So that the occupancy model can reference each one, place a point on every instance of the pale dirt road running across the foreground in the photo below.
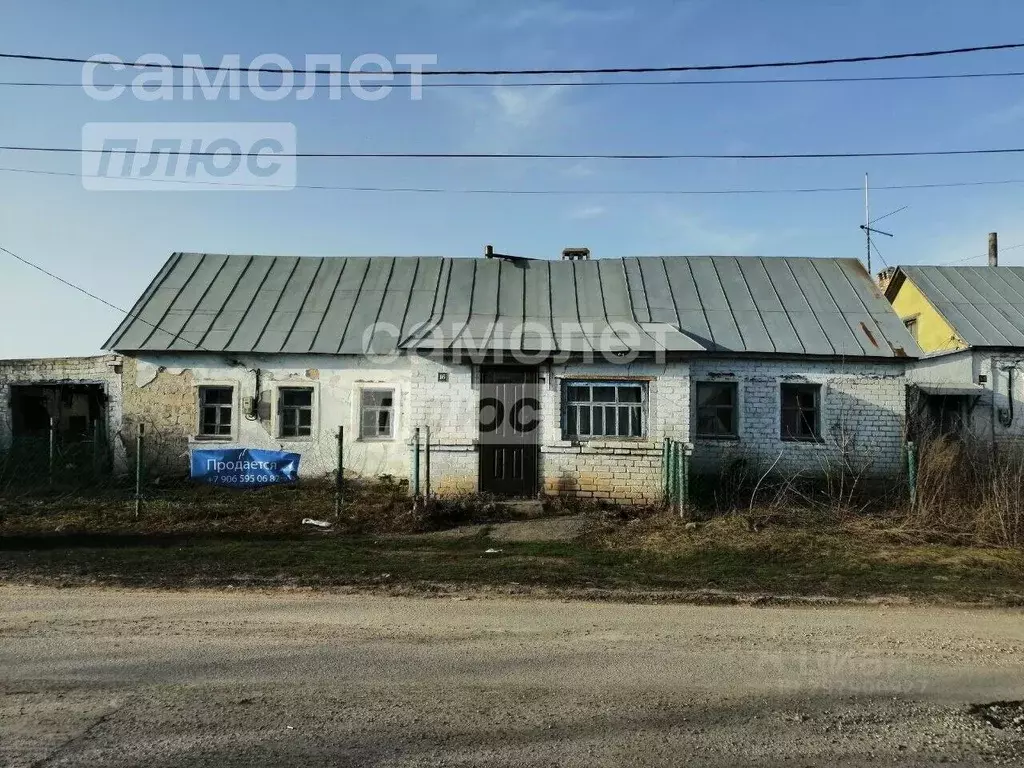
(122, 678)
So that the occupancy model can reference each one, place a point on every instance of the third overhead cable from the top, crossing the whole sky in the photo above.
(524, 156)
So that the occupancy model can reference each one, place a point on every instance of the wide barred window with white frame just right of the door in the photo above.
(605, 409)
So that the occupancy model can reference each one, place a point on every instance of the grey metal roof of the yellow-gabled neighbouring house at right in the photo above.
(985, 305)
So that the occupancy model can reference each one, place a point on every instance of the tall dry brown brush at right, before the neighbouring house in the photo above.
(968, 493)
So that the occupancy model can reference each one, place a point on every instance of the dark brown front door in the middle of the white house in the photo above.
(510, 414)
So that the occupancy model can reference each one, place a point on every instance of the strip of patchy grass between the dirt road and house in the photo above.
(650, 558)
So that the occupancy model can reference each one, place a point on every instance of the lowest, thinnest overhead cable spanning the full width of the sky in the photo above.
(479, 191)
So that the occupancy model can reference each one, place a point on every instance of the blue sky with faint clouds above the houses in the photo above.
(113, 243)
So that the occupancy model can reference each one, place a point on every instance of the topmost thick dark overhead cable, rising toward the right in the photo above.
(577, 71)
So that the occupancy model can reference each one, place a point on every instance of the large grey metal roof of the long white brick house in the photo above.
(356, 306)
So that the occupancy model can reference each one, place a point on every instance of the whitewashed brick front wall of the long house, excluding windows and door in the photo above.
(863, 401)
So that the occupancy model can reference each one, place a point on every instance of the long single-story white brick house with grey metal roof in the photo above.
(579, 370)
